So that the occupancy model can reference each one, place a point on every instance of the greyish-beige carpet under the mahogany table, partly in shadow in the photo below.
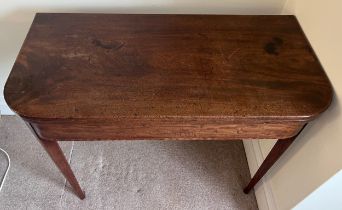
(124, 174)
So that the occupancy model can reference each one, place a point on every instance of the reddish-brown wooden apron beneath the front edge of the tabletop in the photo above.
(183, 129)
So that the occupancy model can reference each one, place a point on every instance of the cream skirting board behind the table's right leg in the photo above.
(263, 190)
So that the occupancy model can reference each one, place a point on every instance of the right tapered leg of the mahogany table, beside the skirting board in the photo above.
(278, 149)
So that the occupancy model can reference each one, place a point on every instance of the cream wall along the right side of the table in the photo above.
(316, 155)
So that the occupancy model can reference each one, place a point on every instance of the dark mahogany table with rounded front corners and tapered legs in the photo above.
(89, 77)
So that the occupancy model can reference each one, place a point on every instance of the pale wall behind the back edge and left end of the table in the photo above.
(16, 17)
